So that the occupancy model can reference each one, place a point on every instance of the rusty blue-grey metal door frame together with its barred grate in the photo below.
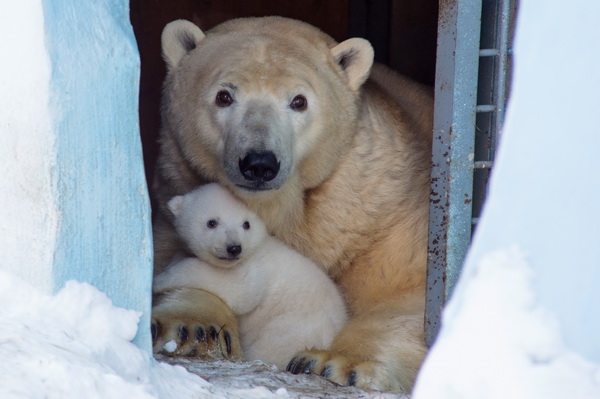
(472, 76)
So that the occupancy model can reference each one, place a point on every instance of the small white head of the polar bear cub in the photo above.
(216, 227)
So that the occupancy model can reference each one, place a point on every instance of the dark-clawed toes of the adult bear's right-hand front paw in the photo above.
(340, 369)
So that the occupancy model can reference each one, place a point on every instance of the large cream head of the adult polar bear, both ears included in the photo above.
(257, 101)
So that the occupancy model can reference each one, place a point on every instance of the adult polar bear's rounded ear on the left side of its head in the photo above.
(179, 38)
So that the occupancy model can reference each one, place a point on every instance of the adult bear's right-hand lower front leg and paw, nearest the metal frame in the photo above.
(379, 350)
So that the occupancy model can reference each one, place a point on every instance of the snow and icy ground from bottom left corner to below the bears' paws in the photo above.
(76, 344)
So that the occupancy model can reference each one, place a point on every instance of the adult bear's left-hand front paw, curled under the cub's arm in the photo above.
(194, 323)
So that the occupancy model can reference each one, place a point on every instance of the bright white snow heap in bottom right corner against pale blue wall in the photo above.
(498, 342)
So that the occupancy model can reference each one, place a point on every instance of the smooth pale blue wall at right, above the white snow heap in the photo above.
(544, 191)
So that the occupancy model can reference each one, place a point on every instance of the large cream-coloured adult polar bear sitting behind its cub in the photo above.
(336, 164)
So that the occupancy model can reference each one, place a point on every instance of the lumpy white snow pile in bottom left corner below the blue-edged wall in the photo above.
(76, 344)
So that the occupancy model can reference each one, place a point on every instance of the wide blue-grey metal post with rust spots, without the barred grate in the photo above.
(459, 26)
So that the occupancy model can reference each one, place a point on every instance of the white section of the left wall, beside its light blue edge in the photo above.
(28, 212)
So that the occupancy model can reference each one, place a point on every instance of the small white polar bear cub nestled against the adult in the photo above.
(285, 303)
